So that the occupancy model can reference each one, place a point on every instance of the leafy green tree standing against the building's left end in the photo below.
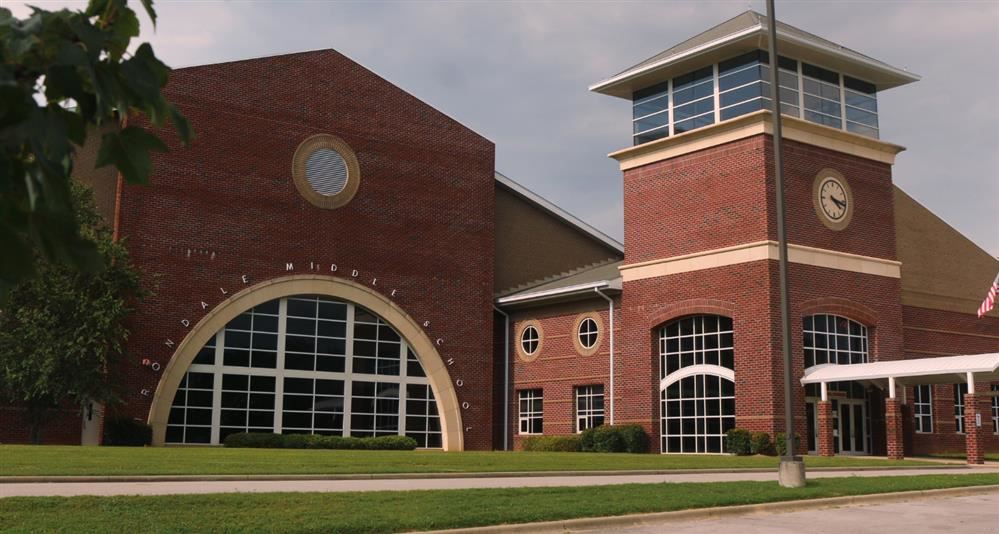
(62, 331)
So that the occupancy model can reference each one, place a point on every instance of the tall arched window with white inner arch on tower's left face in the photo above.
(697, 384)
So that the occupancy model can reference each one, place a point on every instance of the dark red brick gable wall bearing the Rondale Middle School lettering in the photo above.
(421, 222)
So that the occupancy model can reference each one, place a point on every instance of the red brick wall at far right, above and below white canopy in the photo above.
(930, 333)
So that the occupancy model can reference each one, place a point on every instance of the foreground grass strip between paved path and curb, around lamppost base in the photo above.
(419, 510)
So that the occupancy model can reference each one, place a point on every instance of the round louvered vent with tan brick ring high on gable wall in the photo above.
(325, 171)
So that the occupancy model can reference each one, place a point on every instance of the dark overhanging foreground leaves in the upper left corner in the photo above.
(61, 74)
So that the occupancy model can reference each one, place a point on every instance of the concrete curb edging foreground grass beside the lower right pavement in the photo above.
(661, 518)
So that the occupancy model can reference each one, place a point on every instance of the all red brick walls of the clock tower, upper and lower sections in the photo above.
(724, 196)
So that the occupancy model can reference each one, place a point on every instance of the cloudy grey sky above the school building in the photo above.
(517, 73)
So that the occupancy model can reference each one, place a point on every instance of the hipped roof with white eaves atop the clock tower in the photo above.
(742, 33)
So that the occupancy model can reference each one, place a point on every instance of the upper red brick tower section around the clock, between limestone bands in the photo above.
(724, 196)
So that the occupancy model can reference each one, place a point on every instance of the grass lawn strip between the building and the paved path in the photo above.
(68, 460)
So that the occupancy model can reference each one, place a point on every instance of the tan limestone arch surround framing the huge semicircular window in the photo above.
(286, 286)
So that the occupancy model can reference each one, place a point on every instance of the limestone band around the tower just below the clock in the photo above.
(759, 251)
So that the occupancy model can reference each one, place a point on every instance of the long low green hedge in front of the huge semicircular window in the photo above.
(259, 440)
